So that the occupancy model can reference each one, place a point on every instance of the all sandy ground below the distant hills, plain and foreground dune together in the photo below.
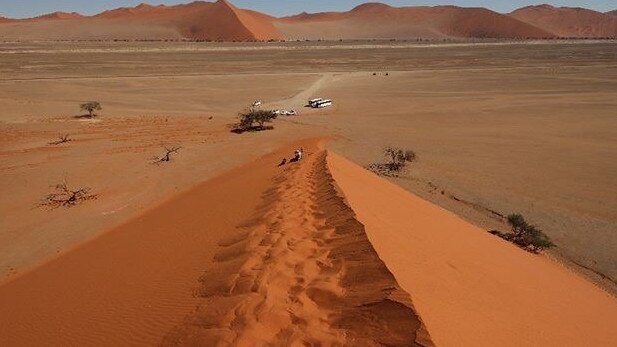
(498, 127)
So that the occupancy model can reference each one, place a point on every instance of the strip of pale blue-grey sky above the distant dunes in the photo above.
(30, 8)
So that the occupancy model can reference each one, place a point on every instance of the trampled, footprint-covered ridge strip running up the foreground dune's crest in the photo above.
(301, 271)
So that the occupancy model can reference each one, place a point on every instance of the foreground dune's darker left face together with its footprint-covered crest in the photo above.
(299, 269)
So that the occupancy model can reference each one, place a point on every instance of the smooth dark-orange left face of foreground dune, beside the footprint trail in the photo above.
(134, 283)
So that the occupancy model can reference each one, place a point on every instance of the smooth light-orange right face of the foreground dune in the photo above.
(469, 287)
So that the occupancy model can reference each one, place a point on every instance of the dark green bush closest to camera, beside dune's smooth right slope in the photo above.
(525, 235)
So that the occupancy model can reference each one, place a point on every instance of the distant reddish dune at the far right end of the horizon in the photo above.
(567, 21)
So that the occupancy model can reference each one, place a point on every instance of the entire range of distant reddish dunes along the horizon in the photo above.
(221, 20)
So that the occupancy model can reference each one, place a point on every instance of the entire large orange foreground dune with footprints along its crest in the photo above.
(320, 251)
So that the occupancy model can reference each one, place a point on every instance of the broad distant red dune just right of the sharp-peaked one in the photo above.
(384, 21)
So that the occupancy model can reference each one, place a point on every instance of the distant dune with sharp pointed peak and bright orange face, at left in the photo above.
(198, 20)
